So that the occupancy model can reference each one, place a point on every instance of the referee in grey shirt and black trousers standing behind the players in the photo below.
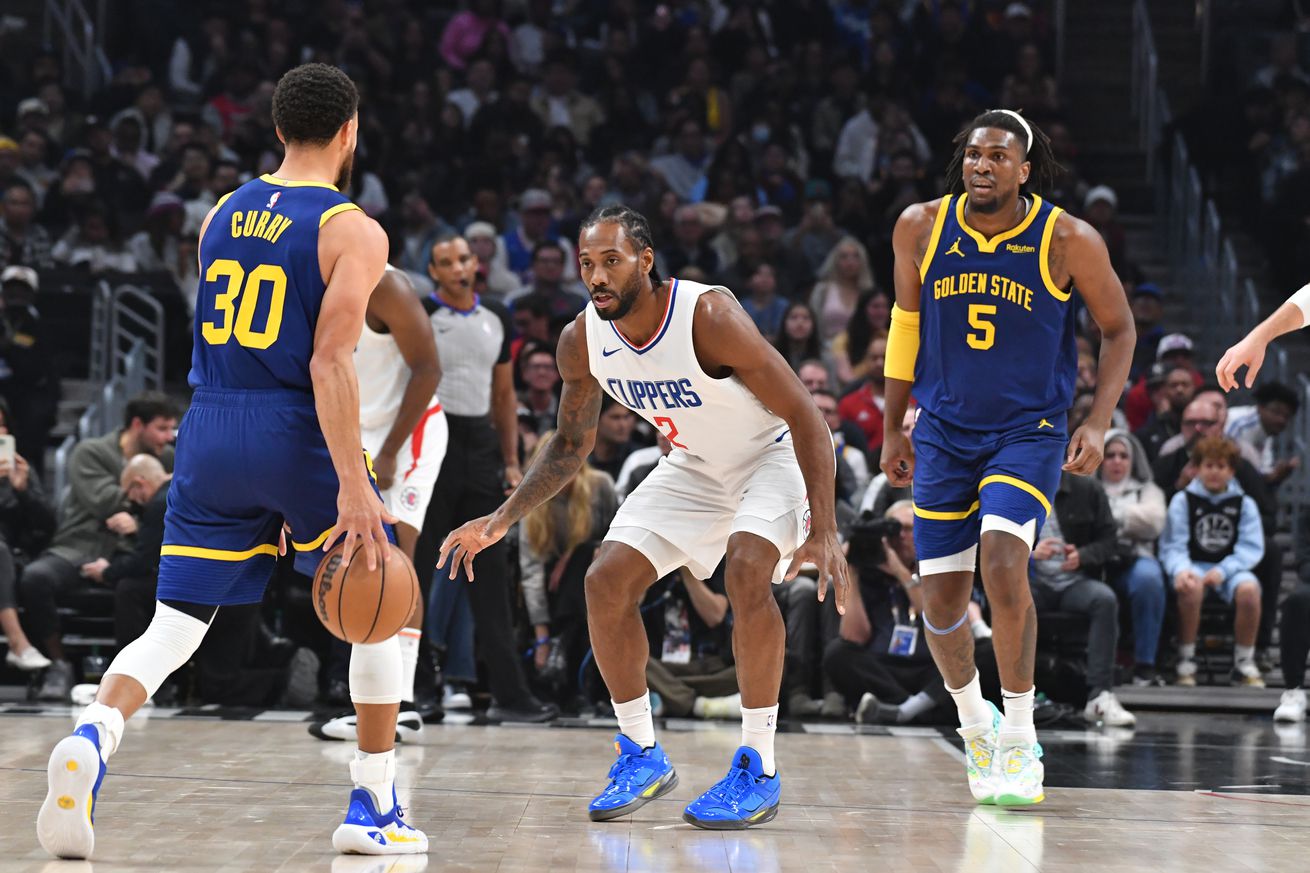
(481, 463)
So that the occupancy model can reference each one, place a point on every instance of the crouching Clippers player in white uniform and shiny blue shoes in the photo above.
(751, 475)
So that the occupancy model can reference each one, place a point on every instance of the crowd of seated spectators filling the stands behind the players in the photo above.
(772, 146)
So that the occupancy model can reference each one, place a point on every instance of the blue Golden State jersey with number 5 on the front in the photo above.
(996, 334)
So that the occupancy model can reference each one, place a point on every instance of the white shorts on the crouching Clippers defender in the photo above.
(686, 511)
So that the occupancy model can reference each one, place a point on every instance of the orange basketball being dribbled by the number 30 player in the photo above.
(358, 605)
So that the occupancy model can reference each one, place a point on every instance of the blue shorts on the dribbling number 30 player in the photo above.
(247, 462)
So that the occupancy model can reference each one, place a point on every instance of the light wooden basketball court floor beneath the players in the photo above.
(208, 794)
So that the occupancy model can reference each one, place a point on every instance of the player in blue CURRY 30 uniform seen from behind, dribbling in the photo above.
(288, 265)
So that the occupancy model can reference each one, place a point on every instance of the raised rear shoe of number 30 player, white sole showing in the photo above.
(66, 823)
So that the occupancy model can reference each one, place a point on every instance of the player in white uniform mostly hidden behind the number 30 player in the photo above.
(405, 435)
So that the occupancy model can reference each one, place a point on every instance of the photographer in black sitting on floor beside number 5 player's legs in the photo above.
(881, 659)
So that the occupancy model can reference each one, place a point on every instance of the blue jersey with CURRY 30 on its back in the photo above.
(261, 286)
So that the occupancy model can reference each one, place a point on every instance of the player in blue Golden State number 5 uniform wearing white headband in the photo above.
(983, 336)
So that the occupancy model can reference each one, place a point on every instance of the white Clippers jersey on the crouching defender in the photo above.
(719, 421)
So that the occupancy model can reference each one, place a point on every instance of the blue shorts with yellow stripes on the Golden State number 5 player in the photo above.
(965, 475)
